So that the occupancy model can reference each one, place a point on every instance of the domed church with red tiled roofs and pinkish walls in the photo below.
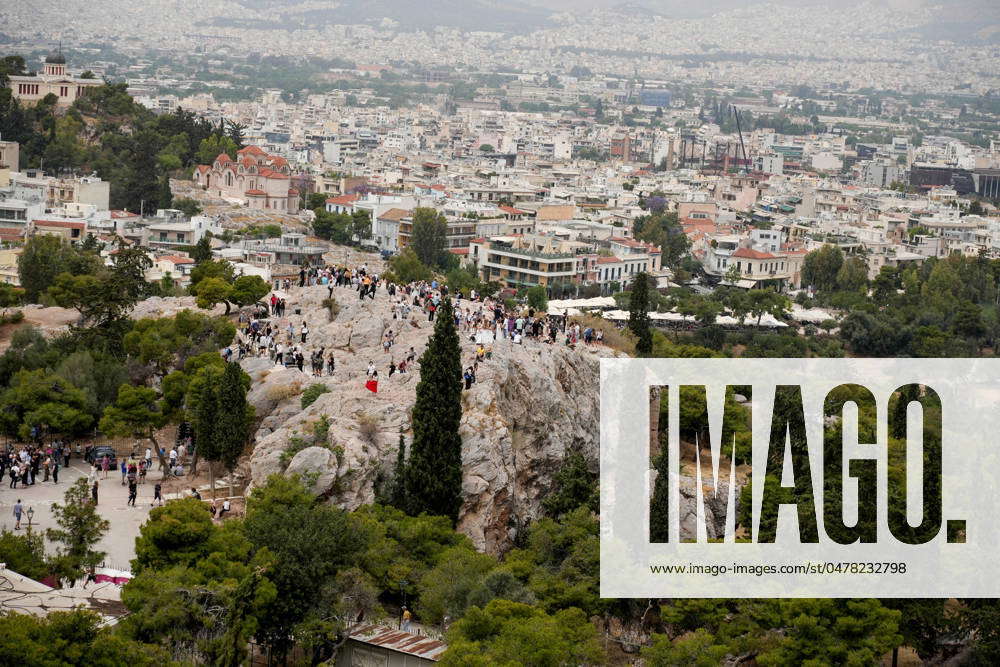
(255, 178)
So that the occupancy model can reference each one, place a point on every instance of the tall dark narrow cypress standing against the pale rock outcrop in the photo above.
(433, 479)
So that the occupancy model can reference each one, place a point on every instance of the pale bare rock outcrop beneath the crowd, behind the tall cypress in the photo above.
(530, 404)
